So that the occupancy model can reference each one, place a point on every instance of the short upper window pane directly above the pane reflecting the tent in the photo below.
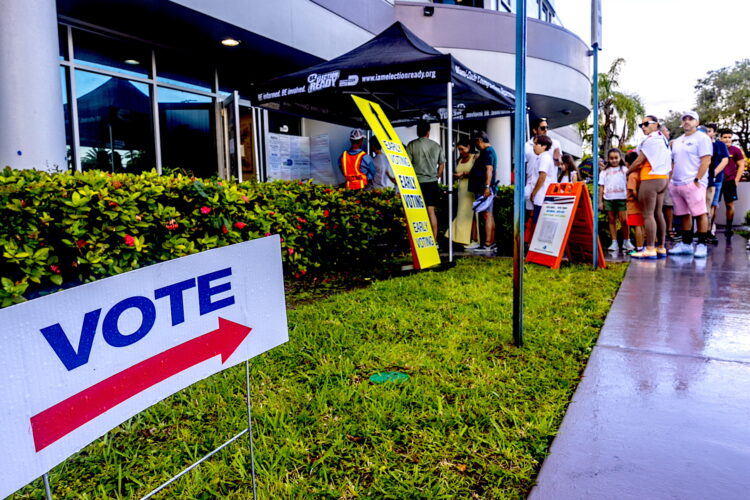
(110, 54)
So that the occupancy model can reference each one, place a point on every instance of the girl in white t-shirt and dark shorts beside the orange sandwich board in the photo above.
(612, 198)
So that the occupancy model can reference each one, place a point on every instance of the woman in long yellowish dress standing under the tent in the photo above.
(464, 225)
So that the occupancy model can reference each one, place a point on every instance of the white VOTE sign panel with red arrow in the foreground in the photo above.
(78, 363)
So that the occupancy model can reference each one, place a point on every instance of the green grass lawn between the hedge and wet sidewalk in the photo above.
(475, 419)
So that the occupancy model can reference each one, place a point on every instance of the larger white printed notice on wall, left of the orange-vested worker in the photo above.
(288, 157)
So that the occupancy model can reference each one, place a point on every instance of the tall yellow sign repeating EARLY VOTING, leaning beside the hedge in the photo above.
(423, 245)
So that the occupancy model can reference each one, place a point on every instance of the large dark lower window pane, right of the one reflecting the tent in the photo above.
(187, 132)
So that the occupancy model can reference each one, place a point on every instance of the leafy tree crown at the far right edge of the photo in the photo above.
(723, 96)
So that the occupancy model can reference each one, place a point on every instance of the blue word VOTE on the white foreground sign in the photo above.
(72, 358)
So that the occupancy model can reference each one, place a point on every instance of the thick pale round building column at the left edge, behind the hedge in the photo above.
(33, 129)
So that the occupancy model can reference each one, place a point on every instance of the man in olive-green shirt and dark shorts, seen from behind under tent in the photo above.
(428, 159)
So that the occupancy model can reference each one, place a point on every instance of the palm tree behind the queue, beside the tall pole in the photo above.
(618, 111)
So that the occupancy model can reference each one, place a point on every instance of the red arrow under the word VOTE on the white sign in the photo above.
(66, 416)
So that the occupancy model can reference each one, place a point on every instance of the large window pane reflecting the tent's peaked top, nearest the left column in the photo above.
(114, 121)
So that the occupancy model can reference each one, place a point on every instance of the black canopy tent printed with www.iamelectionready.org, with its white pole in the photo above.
(410, 79)
